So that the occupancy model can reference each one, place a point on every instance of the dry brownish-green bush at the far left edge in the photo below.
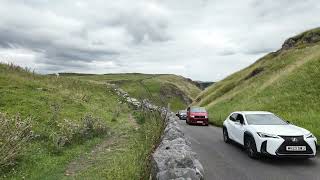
(14, 135)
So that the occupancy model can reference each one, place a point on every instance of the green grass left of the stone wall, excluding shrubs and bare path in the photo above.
(48, 100)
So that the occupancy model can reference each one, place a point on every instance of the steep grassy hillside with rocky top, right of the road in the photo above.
(286, 82)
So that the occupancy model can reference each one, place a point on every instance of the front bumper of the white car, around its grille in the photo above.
(277, 147)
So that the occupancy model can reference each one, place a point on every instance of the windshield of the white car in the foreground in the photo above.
(264, 119)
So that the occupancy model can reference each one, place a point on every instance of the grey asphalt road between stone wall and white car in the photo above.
(230, 162)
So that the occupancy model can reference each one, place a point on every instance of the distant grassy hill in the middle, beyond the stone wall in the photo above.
(161, 89)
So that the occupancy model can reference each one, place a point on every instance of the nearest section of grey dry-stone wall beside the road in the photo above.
(174, 157)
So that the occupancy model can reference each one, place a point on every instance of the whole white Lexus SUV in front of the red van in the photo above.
(265, 133)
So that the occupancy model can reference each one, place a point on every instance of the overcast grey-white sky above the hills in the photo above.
(200, 39)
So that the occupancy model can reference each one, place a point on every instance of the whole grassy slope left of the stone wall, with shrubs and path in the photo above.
(66, 128)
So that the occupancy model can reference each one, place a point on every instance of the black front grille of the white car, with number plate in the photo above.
(293, 141)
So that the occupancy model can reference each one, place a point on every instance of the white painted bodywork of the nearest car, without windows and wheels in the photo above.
(236, 133)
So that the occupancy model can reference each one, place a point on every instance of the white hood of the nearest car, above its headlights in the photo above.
(284, 130)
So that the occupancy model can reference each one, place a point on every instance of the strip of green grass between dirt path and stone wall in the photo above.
(130, 160)
